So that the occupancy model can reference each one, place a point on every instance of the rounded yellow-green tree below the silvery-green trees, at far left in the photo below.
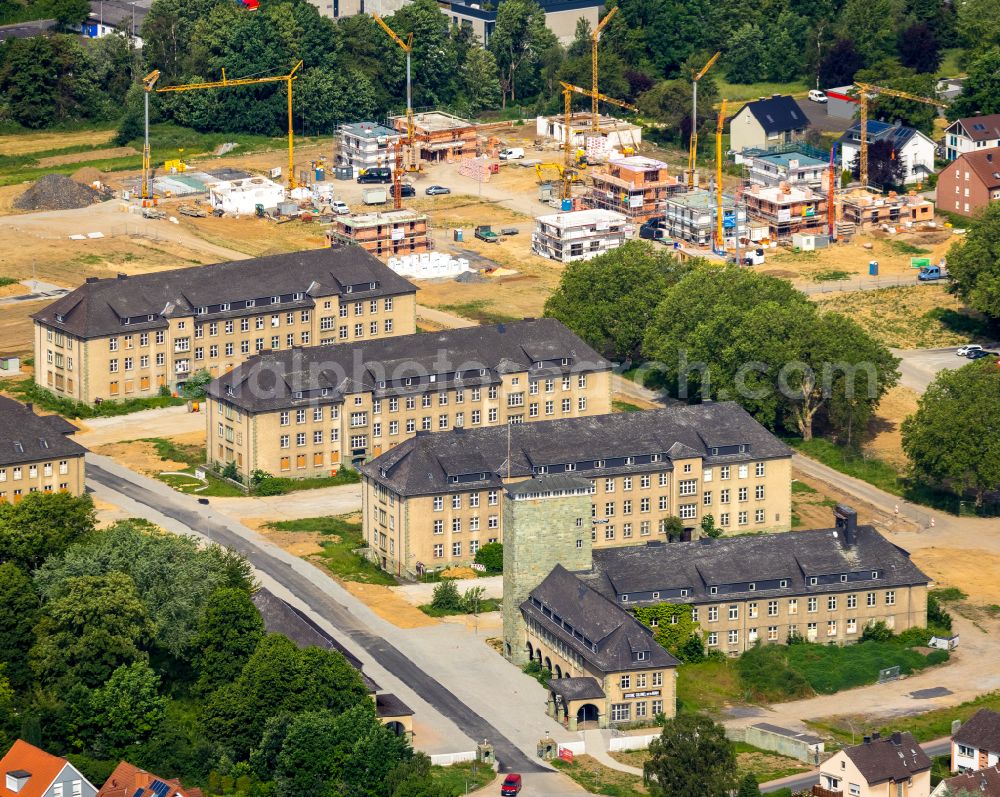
(91, 627)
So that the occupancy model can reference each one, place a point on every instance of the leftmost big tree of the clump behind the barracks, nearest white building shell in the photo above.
(609, 300)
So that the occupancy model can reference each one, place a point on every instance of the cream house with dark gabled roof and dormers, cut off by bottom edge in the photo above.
(879, 767)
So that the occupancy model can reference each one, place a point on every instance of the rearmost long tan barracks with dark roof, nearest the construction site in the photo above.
(133, 336)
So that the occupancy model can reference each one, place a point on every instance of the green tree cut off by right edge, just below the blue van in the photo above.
(974, 263)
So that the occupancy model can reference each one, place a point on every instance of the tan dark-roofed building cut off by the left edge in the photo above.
(37, 453)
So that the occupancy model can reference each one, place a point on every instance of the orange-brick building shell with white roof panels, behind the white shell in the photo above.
(635, 186)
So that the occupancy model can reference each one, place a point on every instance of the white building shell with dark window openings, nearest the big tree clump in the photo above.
(579, 235)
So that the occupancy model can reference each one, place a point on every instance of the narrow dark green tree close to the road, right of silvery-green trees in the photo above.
(228, 632)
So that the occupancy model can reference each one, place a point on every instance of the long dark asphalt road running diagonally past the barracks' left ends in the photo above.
(511, 758)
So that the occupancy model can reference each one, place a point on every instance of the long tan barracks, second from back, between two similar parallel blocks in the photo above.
(305, 412)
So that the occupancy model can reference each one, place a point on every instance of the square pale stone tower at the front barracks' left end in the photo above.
(546, 521)
